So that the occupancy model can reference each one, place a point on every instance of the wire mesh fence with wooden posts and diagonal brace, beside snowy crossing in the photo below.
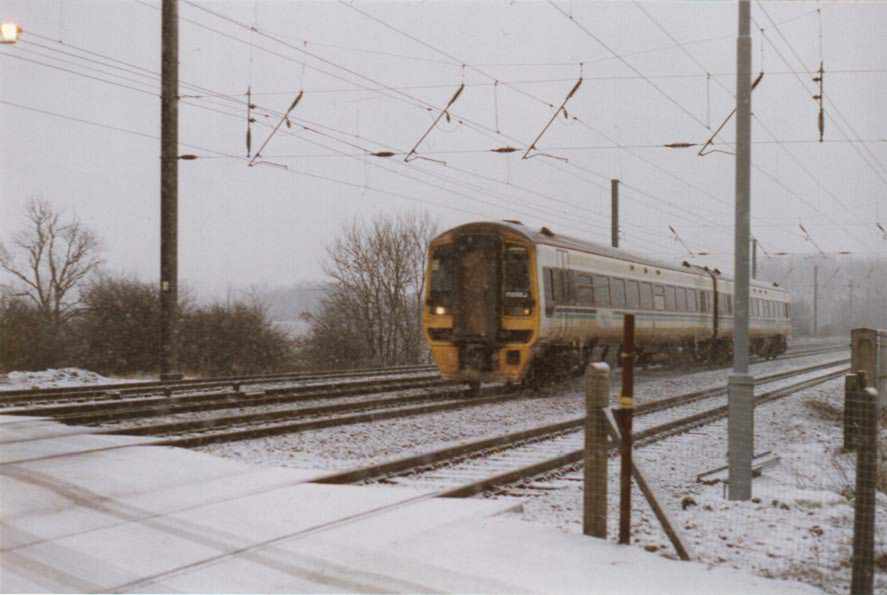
(818, 510)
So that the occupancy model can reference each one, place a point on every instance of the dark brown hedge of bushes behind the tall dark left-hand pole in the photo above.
(117, 331)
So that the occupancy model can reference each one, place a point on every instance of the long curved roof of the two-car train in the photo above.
(548, 237)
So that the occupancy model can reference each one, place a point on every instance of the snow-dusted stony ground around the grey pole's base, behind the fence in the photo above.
(799, 523)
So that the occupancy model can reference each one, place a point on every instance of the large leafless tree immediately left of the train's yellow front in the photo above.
(372, 314)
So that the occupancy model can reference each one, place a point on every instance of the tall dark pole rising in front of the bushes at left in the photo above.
(169, 187)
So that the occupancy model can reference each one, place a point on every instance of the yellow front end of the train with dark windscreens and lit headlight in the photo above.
(481, 303)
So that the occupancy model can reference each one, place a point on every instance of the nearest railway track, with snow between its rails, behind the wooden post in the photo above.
(492, 463)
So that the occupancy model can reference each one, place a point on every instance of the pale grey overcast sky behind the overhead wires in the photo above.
(368, 86)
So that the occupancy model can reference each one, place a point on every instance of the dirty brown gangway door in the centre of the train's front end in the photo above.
(478, 282)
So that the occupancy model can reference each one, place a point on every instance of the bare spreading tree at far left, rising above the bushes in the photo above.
(49, 259)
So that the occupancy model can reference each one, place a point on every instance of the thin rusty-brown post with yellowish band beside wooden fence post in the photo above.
(625, 416)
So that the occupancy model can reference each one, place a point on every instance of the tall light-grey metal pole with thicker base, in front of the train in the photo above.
(740, 421)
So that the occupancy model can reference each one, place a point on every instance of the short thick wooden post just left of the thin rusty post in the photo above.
(597, 398)
